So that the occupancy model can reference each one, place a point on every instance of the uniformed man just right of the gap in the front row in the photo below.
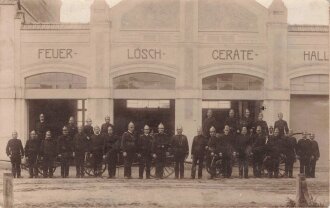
(198, 149)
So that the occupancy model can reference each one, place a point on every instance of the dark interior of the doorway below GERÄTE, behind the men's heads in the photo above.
(220, 114)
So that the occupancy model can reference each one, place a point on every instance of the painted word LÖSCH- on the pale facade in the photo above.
(145, 54)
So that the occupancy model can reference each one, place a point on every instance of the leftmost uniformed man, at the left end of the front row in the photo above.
(15, 152)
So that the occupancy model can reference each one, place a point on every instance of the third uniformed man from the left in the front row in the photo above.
(48, 151)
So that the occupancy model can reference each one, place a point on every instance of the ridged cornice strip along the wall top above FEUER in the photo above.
(52, 26)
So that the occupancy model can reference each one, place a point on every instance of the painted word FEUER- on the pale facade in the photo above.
(51, 53)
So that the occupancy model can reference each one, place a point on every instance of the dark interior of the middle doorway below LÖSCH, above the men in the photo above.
(142, 114)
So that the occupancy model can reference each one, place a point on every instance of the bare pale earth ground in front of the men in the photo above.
(102, 192)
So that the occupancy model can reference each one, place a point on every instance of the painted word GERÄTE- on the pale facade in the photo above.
(233, 55)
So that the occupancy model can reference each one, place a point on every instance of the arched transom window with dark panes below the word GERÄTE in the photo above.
(232, 82)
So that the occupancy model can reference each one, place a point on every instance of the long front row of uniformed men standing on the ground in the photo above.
(160, 145)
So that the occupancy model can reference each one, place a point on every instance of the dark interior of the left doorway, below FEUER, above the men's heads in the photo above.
(57, 113)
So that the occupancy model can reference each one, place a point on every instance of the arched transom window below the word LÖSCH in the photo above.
(144, 81)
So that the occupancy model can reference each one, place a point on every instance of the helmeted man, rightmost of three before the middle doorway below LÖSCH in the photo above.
(160, 149)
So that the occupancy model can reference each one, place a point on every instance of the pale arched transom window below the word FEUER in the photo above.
(56, 81)
